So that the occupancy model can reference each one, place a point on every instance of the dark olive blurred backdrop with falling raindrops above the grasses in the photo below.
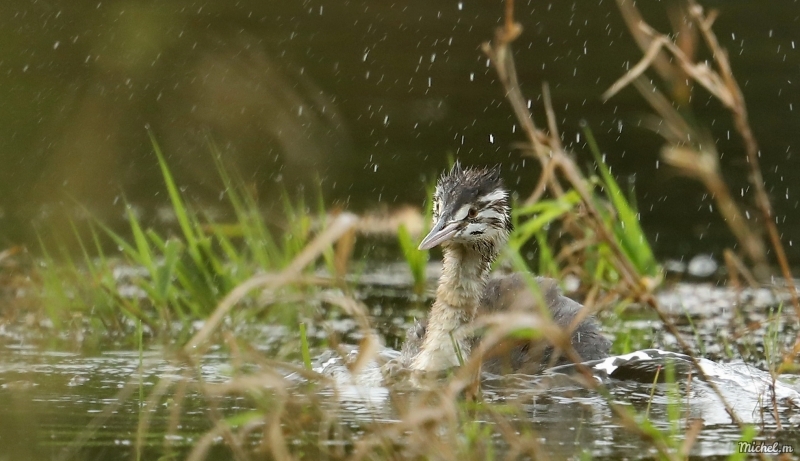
(366, 98)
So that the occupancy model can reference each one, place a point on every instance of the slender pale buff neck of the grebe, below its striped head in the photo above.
(464, 274)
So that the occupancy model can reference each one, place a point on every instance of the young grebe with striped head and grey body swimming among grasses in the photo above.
(471, 221)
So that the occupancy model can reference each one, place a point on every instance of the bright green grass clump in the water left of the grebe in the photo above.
(173, 278)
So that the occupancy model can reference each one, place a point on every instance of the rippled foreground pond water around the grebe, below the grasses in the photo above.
(58, 404)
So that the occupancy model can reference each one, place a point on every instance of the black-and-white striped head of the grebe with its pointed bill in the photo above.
(470, 207)
